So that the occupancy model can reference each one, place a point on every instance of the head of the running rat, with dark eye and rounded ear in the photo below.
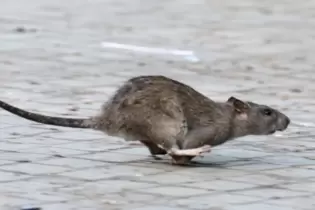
(257, 119)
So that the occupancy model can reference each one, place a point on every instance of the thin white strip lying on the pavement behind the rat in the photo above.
(187, 55)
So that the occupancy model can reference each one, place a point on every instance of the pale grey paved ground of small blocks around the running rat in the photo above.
(52, 62)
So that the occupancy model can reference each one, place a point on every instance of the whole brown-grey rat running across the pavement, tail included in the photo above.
(171, 118)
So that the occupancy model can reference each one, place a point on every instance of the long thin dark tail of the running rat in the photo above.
(57, 121)
